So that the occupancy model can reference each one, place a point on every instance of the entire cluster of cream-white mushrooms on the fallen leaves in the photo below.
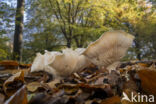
(105, 52)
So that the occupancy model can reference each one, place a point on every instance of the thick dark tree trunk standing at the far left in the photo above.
(18, 35)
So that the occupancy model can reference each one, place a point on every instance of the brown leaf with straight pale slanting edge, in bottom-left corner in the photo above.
(20, 97)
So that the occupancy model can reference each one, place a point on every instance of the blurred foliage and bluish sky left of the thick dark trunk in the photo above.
(6, 14)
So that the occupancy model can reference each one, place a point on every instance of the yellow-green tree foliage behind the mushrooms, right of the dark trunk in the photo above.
(79, 22)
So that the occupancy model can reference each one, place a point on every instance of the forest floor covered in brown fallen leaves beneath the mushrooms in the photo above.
(19, 86)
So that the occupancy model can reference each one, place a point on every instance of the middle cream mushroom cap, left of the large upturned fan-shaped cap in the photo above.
(69, 62)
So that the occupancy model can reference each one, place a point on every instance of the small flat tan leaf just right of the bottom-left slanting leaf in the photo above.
(32, 87)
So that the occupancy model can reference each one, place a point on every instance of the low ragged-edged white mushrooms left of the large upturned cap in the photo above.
(60, 64)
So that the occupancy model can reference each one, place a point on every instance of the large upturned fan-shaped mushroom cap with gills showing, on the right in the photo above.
(107, 51)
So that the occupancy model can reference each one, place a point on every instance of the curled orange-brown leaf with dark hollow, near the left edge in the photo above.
(12, 84)
